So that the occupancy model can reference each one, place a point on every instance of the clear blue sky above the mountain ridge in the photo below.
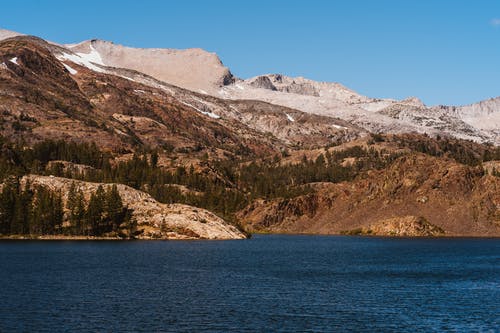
(442, 51)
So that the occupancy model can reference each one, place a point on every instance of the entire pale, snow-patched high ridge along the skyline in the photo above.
(203, 73)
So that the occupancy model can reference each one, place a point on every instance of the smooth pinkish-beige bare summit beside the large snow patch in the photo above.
(193, 69)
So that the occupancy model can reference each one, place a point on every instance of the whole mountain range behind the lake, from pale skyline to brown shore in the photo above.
(269, 153)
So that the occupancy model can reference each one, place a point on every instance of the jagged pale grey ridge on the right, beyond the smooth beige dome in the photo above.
(374, 115)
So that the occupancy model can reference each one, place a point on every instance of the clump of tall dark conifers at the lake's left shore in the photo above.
(35, 210)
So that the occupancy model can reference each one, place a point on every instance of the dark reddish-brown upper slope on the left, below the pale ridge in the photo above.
(67, 95)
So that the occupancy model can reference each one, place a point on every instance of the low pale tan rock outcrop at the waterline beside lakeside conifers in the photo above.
(157, 220)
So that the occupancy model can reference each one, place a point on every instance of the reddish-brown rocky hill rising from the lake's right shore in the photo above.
(417, 195)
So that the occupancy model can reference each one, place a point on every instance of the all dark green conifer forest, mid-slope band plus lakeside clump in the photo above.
(222, 186)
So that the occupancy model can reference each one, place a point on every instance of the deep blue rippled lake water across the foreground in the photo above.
(265, 284)
